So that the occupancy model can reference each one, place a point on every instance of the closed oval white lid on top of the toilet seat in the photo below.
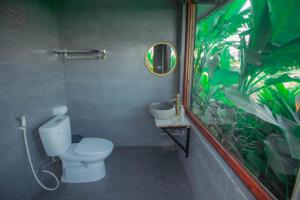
(93, 146)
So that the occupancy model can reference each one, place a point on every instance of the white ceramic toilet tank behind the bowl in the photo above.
(56, 135)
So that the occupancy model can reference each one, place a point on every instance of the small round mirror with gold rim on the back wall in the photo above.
(161, 59)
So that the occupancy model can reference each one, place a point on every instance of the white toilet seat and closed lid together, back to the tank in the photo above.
(88, 150)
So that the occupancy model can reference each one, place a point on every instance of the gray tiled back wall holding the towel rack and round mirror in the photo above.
(109, 98)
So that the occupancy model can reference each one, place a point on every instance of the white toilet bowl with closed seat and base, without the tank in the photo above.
(84, 162)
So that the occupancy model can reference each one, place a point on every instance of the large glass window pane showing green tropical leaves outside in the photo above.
(246, 86)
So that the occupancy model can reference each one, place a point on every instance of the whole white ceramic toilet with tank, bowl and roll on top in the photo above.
(82, 162)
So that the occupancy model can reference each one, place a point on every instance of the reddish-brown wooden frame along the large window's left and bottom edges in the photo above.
(257, 189)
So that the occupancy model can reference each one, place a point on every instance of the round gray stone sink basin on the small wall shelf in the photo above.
(162, 110)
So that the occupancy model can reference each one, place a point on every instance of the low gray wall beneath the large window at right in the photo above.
(210, 177)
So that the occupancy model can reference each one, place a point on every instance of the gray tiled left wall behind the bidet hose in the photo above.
(31, 83)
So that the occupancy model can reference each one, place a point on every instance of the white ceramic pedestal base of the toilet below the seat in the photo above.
(82, 172)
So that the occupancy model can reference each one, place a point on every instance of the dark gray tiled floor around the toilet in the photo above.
(133, 173)
